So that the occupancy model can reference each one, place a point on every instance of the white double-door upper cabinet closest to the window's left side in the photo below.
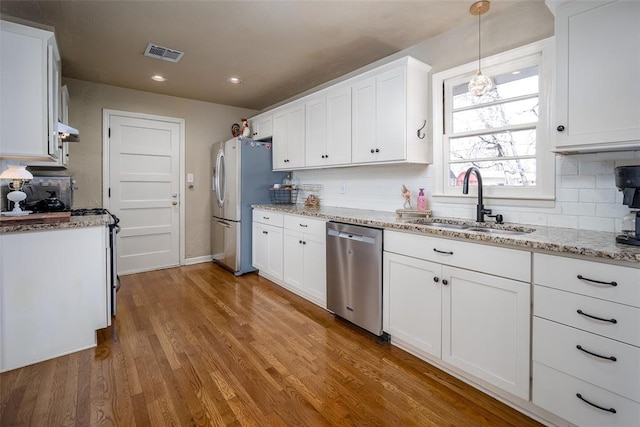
(389, 107)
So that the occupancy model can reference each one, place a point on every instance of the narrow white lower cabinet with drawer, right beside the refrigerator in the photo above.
(266, 249)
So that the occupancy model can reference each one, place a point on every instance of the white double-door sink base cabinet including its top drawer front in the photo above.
(478, 323)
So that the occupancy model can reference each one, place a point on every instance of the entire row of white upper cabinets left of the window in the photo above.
(374, 117)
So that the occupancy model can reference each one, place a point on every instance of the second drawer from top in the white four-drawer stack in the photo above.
(562, 307)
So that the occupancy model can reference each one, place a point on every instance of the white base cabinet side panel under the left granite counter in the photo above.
(55, 308)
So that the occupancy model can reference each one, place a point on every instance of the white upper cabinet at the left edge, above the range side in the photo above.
(30, 87)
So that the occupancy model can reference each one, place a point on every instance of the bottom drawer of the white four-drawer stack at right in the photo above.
(557, 392)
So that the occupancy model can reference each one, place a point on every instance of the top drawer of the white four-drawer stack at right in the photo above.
(562, 273)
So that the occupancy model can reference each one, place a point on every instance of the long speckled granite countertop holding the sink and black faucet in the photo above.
(597, 244)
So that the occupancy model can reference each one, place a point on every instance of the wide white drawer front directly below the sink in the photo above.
(514, 264)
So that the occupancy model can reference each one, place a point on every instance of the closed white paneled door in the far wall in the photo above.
(144, 188)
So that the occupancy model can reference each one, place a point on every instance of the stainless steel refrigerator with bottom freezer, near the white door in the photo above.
(241, 177)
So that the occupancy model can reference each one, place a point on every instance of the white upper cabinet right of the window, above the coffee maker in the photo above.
(597, 69)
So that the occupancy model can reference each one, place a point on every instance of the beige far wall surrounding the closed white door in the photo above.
(205, 123)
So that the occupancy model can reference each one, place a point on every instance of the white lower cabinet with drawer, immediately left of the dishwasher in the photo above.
(305, 257)
